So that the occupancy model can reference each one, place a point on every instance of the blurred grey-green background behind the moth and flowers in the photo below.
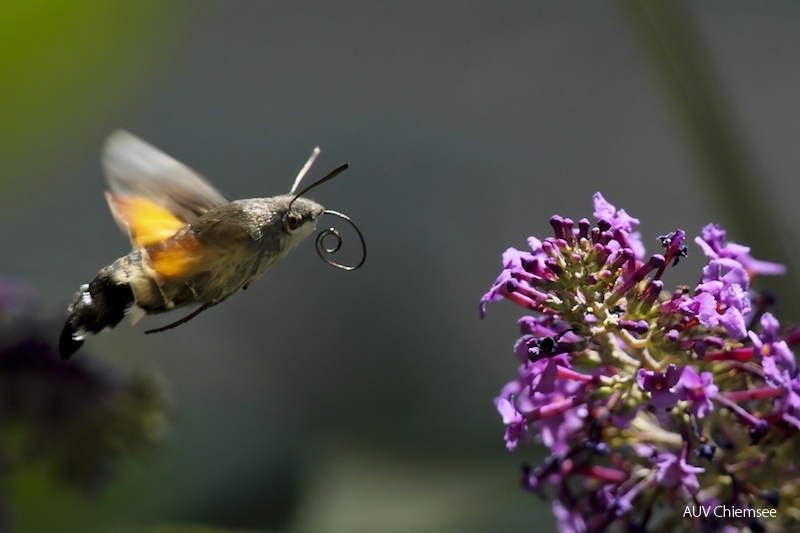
(320, 400)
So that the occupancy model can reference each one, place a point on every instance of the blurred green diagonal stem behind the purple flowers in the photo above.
(689, 82)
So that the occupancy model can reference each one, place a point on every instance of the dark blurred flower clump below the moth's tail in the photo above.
(79, 418)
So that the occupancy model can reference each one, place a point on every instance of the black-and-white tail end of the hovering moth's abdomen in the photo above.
(97, 305)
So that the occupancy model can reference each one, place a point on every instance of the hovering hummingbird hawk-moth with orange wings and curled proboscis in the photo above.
(191, 246)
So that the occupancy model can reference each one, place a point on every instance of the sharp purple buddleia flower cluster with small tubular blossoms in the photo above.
(649, 401)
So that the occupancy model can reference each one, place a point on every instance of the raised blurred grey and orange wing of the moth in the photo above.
(151, 195)
